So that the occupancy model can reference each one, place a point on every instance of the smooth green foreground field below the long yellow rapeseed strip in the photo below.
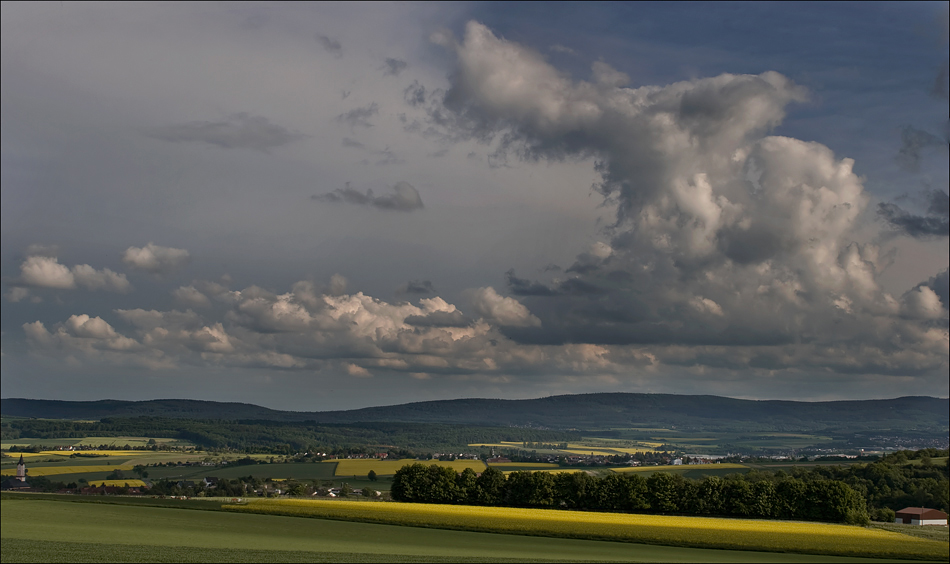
(37, 530)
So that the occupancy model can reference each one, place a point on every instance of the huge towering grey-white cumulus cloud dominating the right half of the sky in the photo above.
(726, 239)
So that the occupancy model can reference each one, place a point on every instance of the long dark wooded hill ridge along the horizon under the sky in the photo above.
(585, 411)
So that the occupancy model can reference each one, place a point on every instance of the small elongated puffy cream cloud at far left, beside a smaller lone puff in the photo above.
(47, 272)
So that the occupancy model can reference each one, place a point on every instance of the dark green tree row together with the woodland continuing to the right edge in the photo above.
(849, 494)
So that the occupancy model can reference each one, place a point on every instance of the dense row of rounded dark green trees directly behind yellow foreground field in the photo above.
(664, 493)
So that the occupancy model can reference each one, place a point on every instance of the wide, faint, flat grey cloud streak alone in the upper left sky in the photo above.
(237, 131)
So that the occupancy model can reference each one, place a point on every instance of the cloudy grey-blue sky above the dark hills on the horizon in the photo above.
(332, 206)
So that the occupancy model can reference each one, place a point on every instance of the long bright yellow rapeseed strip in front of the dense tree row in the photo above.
(703, 532)
